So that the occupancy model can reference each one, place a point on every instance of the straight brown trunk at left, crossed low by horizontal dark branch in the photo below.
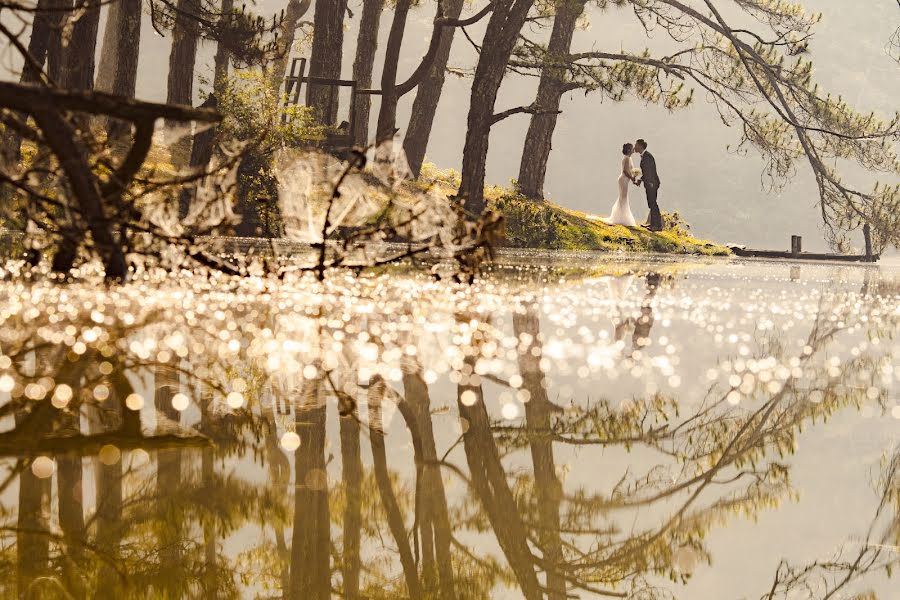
(182, 58)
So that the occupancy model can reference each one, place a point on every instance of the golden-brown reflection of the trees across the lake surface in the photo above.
(571, 495)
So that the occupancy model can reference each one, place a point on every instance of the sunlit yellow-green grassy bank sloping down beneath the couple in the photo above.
(547, 225)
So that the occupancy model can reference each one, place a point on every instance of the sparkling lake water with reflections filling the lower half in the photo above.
(571, 425)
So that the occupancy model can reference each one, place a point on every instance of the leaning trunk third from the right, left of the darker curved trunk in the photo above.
(429, 94)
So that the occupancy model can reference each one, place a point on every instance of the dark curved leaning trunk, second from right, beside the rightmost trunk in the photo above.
(502, 32)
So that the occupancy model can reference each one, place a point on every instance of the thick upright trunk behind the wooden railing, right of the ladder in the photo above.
(325, 60)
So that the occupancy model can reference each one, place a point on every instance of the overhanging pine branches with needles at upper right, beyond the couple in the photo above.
(761, 83)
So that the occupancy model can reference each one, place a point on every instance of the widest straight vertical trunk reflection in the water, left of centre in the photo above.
(310, 548)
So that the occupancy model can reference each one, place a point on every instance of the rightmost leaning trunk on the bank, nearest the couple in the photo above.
(536, 153)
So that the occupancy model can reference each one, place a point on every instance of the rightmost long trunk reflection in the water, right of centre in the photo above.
(547, 486)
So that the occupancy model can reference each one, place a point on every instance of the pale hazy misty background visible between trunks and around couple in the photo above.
(723, 194)
